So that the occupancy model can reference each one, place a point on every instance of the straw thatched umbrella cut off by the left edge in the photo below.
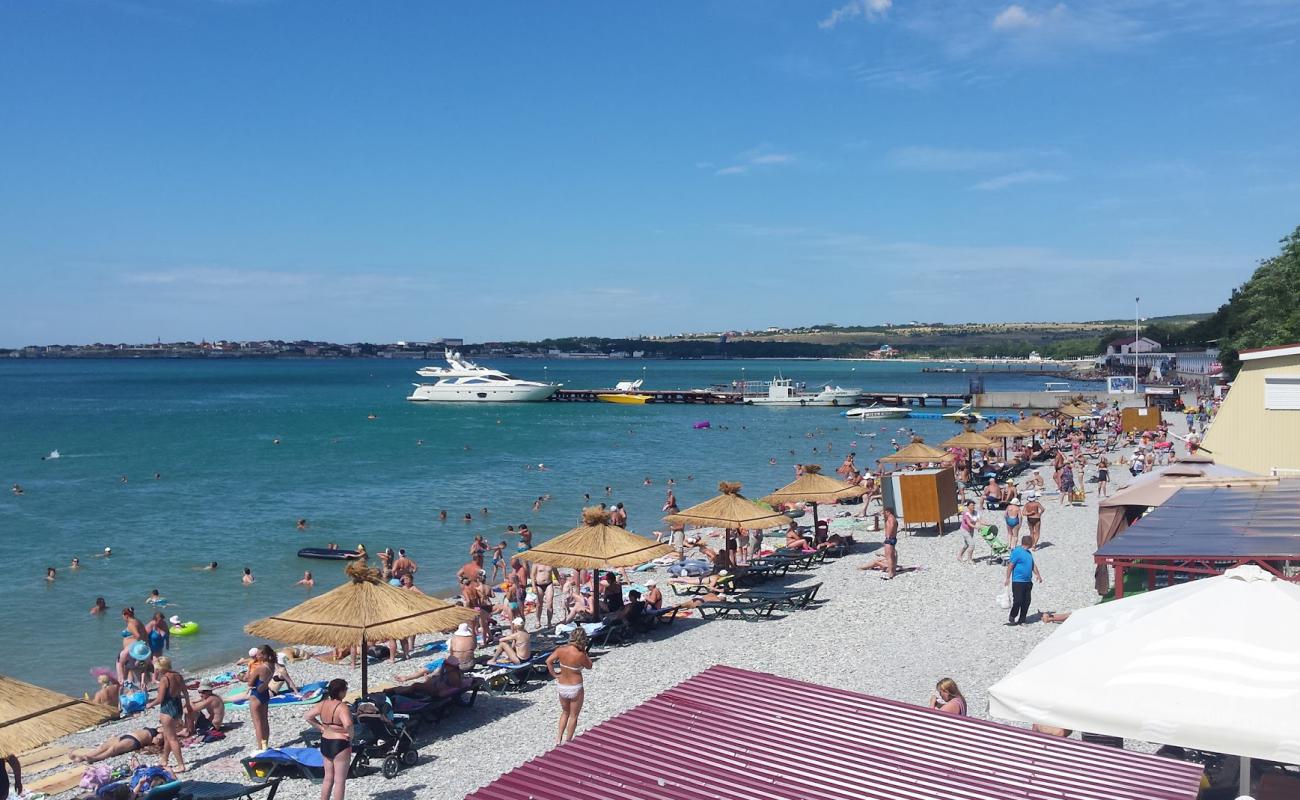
(32, 716)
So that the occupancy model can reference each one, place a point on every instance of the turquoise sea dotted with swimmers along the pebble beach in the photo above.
(227, 494)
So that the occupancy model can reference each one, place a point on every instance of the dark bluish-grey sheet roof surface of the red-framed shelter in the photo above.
(1220, 522)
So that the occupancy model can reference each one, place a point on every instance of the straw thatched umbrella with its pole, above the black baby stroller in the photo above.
(363, 609)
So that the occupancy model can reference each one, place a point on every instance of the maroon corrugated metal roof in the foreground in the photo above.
(730, 734)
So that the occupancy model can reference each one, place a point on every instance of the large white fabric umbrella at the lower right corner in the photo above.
(1211, 665)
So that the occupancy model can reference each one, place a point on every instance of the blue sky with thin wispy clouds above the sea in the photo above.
(383, 171)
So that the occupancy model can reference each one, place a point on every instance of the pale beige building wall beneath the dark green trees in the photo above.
(1249, 436)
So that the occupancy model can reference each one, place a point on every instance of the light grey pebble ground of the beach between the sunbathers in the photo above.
(895, 639)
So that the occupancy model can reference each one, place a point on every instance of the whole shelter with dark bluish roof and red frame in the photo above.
(1206, 529)
